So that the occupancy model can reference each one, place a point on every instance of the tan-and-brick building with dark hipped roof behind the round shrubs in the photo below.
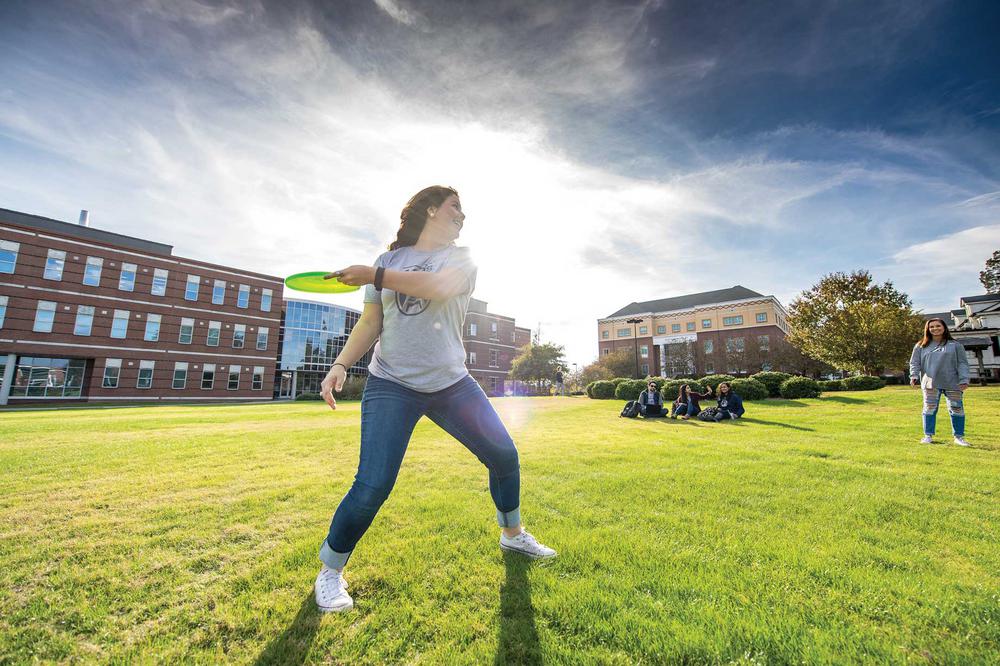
(726, 330)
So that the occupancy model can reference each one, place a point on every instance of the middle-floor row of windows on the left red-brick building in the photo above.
(45, 315)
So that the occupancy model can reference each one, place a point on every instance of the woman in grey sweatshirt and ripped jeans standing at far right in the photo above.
(939, 366)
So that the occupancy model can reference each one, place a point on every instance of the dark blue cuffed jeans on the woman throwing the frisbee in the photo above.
(389, 412)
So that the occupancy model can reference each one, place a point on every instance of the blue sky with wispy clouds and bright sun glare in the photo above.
(605, 152)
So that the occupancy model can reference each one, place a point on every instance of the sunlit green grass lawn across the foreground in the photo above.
(814, 531)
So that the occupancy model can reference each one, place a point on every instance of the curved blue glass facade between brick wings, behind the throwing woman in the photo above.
(312, 334)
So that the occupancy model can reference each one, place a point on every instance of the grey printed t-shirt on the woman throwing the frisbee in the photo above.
(421, 342)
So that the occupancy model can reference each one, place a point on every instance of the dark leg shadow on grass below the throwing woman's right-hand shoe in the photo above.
(518, 642)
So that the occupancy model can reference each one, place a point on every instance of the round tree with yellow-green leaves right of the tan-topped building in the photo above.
(851, 323)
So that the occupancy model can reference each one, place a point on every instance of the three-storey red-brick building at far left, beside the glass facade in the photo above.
(90, 315)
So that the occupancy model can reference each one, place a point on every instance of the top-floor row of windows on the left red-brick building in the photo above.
(55, 262)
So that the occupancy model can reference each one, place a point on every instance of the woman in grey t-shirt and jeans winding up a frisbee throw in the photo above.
(416, 296)
